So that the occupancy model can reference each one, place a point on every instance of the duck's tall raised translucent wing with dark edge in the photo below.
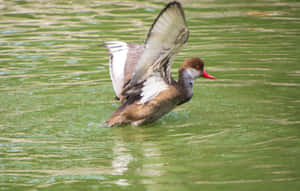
(167, 34)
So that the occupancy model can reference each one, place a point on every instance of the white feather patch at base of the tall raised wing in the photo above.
(152, 87)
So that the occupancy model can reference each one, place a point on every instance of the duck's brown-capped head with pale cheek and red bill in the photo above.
(194, 68)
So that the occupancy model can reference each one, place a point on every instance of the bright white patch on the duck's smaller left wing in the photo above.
(118, 51)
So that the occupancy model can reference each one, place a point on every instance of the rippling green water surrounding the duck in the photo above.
(239, 132)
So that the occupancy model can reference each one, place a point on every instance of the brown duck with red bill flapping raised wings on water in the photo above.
(140, 73)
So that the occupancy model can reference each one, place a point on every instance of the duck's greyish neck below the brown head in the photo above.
(185, 83)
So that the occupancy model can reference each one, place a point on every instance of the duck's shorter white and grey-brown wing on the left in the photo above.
(123, 59)
